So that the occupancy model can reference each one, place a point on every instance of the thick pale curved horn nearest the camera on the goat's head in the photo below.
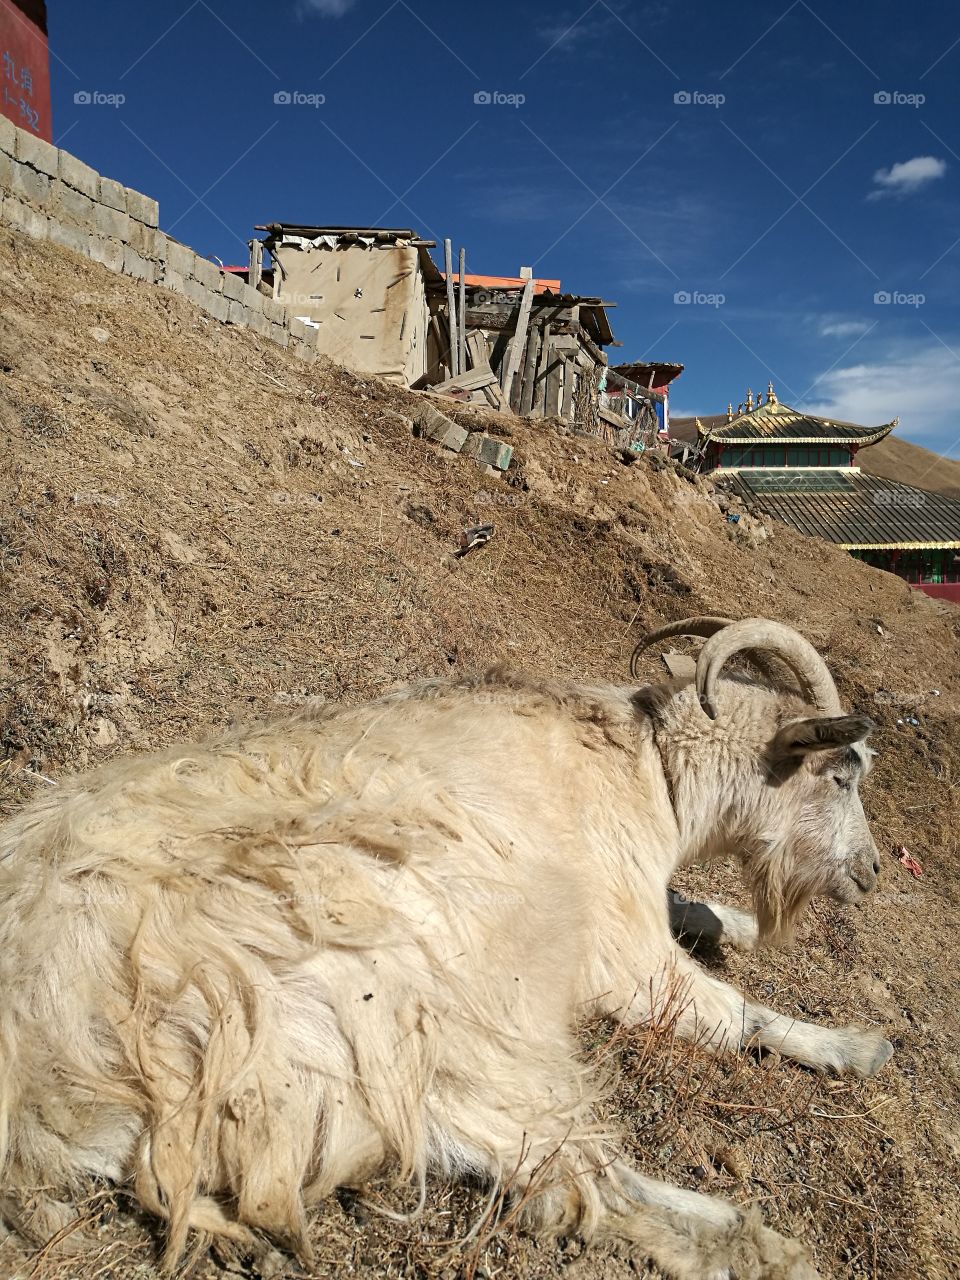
(775, 639)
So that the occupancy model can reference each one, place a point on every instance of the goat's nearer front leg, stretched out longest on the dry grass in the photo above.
(714, 1014)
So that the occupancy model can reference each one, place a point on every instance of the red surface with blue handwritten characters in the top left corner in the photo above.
(25, 67)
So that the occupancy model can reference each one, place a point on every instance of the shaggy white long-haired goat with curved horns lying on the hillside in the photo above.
(235, 977)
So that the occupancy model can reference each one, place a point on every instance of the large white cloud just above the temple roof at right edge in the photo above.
(918, 385)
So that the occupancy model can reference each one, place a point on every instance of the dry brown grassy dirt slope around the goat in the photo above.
(196, 527)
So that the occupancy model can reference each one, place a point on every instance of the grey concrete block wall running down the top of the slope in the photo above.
(51, 195)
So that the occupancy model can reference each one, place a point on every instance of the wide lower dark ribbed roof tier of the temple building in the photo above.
(871, 514)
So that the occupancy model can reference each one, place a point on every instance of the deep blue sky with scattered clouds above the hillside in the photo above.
(766, 190)
